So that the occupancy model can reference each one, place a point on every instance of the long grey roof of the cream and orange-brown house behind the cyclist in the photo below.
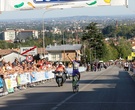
(63, 47)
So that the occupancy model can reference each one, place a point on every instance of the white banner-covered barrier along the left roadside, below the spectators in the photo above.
(18, 80)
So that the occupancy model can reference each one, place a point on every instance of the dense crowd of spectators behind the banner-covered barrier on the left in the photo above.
(17, 67)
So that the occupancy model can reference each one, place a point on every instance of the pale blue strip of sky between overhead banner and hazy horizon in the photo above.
(54, 13)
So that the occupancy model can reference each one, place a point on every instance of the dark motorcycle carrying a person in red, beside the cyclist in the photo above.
(60, 77)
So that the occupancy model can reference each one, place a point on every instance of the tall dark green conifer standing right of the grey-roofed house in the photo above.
(94, 40)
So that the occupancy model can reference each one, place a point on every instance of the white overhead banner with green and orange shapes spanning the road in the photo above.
(14, 5)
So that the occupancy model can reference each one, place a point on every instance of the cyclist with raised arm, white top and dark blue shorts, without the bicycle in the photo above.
(75, 64)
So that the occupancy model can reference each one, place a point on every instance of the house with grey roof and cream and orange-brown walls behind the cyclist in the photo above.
(58, 52)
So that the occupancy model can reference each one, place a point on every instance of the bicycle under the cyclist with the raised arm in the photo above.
(75, 83)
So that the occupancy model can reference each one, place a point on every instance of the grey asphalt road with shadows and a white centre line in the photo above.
(109, 89)
